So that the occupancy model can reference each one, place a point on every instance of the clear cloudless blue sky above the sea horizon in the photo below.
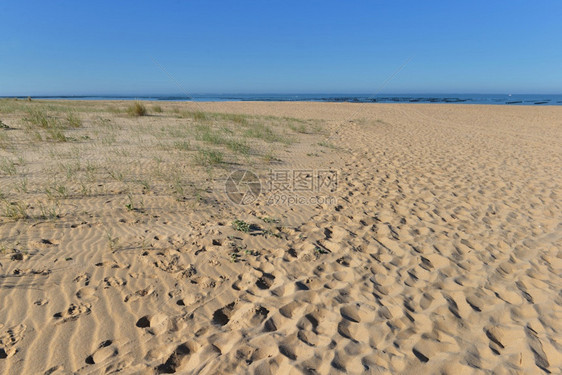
(107, 47)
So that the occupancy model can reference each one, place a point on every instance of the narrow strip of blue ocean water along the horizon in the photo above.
(499, 99)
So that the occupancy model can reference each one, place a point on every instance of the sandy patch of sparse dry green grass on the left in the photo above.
(95, 149)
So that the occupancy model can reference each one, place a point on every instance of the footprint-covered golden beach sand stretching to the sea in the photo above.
(440, 253)
